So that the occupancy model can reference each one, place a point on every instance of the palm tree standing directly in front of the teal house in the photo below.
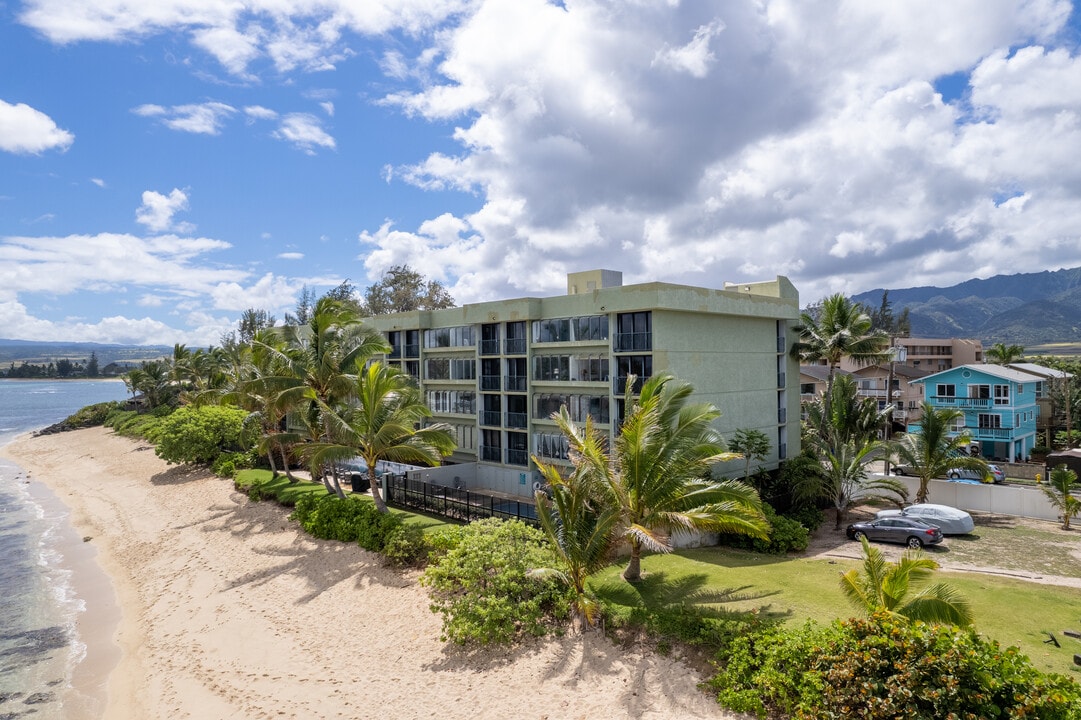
(935, 450)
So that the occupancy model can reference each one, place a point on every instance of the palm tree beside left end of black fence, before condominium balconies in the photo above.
(381, 424)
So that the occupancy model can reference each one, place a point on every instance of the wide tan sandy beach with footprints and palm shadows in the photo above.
(228, 611)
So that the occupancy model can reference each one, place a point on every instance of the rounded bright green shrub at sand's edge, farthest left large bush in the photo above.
(199, 435)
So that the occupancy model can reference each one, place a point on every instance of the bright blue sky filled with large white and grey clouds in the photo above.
(167, 165)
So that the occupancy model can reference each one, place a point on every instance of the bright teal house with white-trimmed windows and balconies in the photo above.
(999, 405)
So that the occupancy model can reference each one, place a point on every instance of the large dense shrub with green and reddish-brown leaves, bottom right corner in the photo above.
(884, 669)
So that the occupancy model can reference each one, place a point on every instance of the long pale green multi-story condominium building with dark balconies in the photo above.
(497, 371)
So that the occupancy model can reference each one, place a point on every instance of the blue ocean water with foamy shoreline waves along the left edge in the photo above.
(39, 647)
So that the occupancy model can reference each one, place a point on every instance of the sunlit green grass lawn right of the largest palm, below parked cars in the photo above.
(1008, 610)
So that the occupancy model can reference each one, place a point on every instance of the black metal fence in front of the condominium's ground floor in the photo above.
(456, 503)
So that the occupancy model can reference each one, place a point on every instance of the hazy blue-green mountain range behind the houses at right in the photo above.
(1027, 310)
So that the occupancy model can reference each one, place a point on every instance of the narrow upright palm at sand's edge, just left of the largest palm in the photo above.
(578, 521)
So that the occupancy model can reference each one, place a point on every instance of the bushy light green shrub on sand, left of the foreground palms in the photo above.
(482, 589)
